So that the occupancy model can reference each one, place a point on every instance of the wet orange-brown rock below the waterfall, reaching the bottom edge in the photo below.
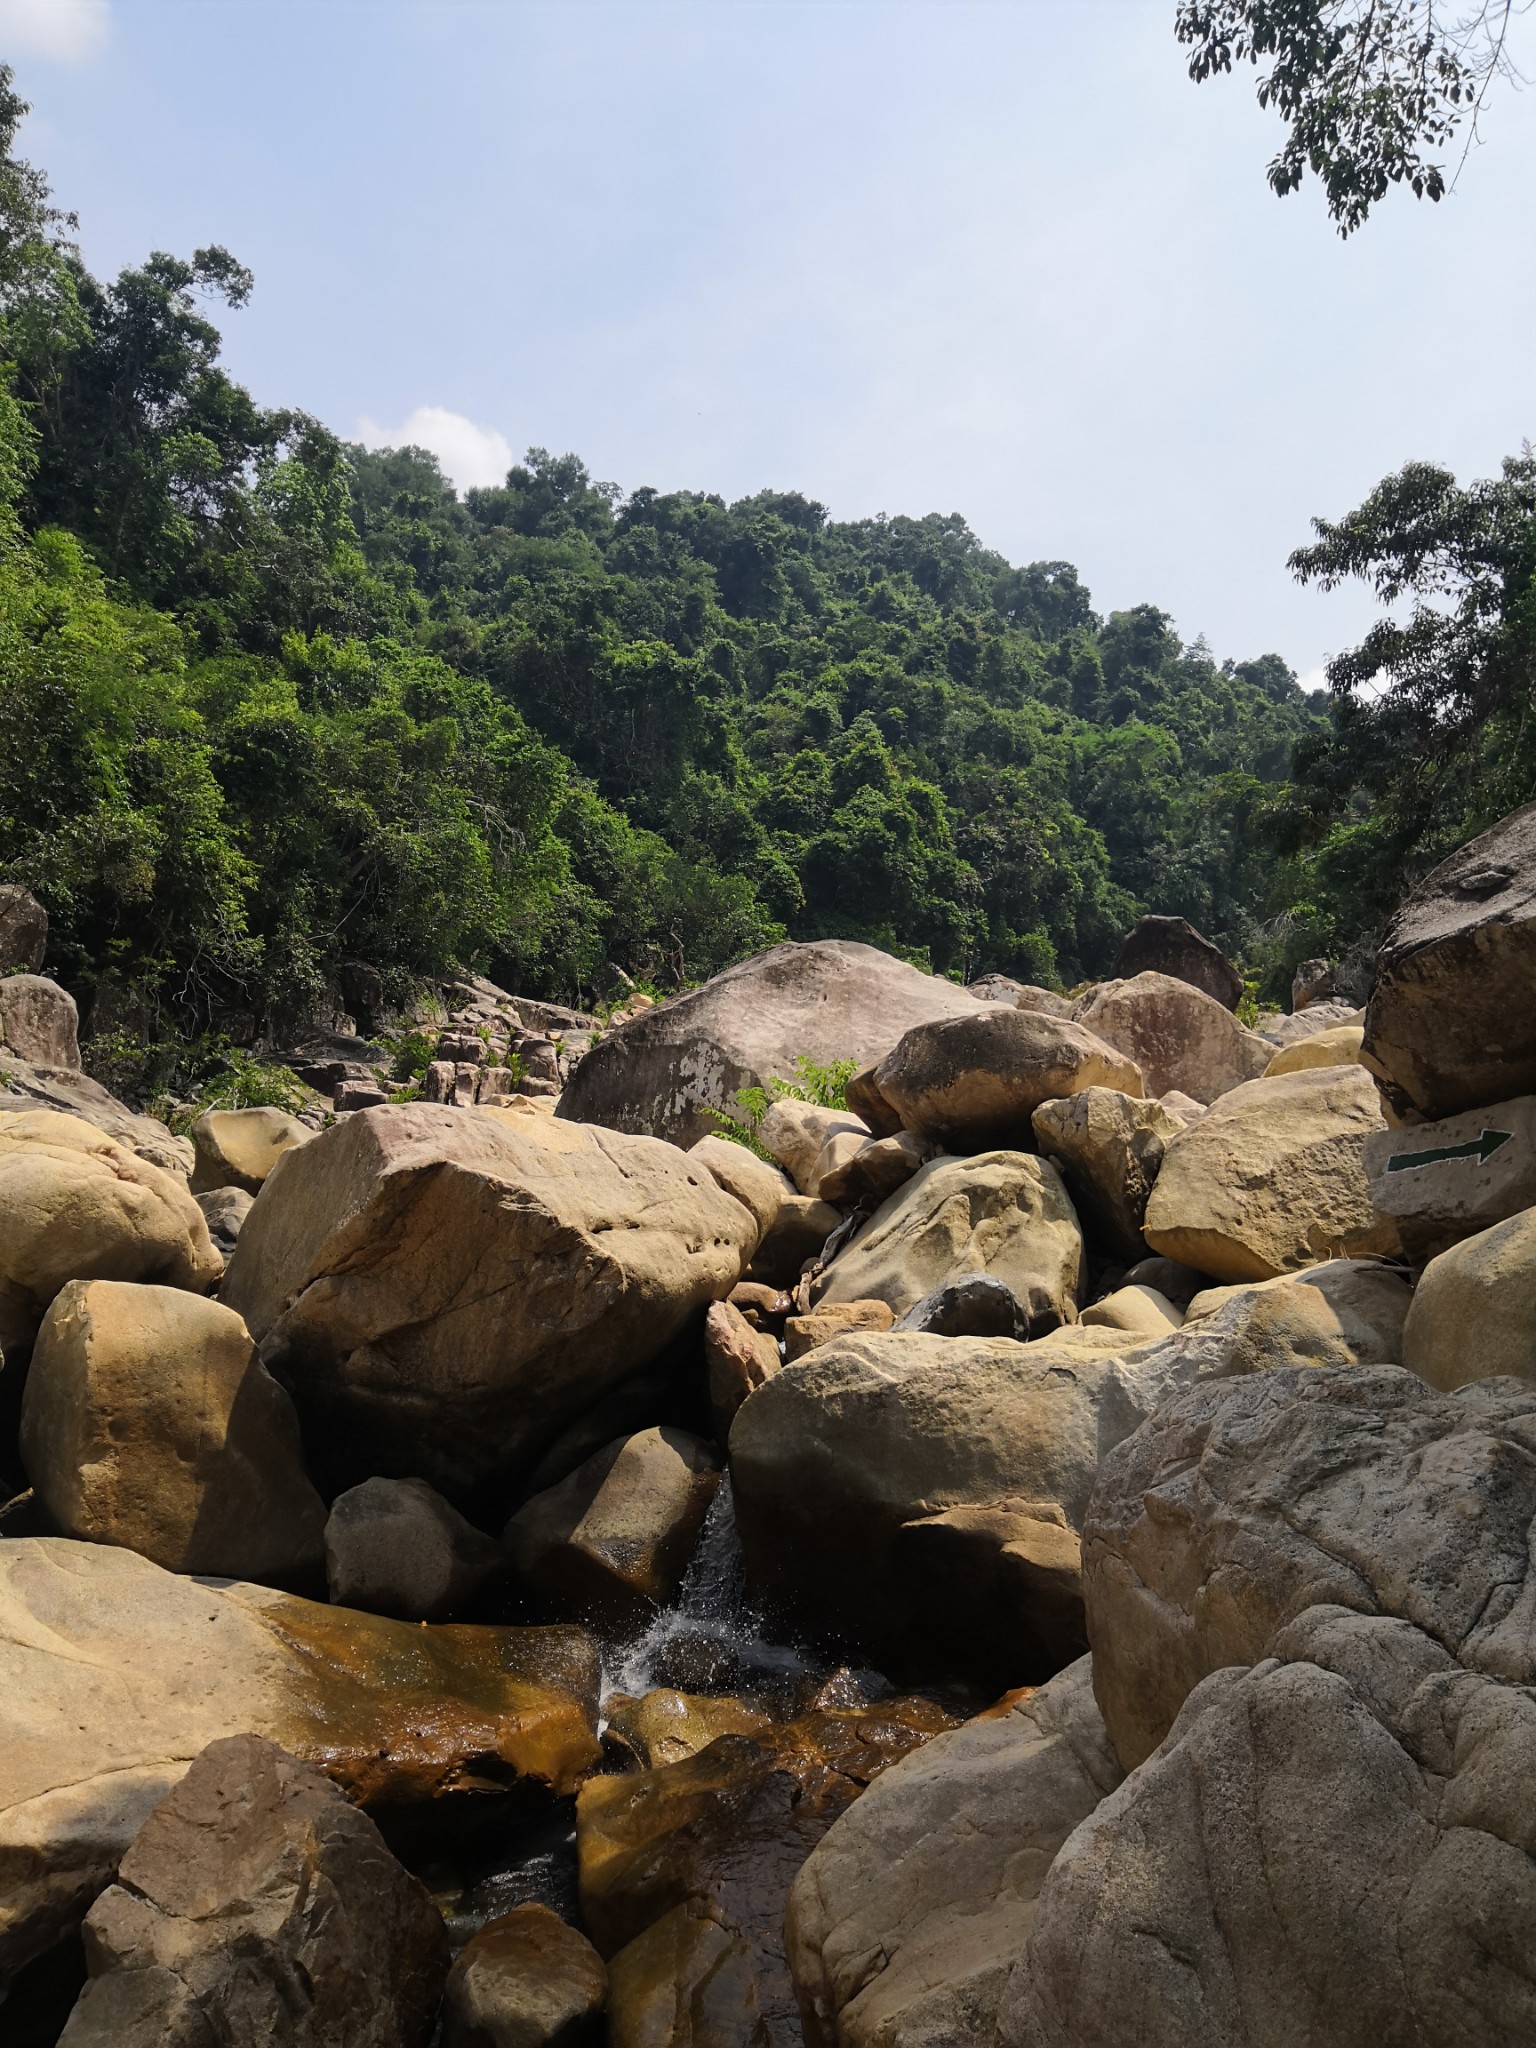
(718, 1840)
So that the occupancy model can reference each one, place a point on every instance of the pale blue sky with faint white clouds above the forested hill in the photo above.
(984, 257)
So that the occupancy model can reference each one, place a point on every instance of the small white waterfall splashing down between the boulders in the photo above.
(710, 1639)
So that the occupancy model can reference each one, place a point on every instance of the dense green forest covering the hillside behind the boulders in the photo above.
(273, 708)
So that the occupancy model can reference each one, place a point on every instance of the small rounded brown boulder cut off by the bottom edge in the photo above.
(525, 1981)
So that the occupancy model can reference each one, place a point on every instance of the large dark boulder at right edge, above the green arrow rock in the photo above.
(1451, 1021)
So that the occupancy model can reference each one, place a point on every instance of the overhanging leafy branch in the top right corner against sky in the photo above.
(1371, 91)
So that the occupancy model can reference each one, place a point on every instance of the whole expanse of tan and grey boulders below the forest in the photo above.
(1031, 1551)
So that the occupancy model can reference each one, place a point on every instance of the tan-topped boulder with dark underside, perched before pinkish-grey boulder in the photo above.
(974, 1082)
